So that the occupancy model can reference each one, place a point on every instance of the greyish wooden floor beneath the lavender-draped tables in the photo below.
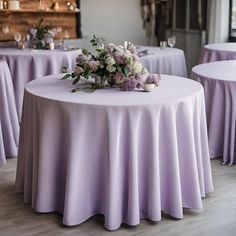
(217, 219)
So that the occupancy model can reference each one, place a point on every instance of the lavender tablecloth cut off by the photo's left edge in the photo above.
(9, 123)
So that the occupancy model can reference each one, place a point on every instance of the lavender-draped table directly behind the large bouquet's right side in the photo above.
(170, 61)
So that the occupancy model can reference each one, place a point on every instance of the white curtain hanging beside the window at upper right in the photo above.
(218, 21)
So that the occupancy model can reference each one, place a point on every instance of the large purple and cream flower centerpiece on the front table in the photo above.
(112, 66)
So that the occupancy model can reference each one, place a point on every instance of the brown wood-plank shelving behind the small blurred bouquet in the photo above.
(29, 14)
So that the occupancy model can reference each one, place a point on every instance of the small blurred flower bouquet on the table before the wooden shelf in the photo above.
(41, 36)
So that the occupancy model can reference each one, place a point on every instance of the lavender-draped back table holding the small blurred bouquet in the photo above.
(26, 65)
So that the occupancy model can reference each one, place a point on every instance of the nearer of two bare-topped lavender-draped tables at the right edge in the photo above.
(219, 82)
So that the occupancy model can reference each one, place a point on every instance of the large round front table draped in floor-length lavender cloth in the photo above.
(126, 155)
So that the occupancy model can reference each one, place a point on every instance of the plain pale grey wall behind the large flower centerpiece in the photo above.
(114, 20)
